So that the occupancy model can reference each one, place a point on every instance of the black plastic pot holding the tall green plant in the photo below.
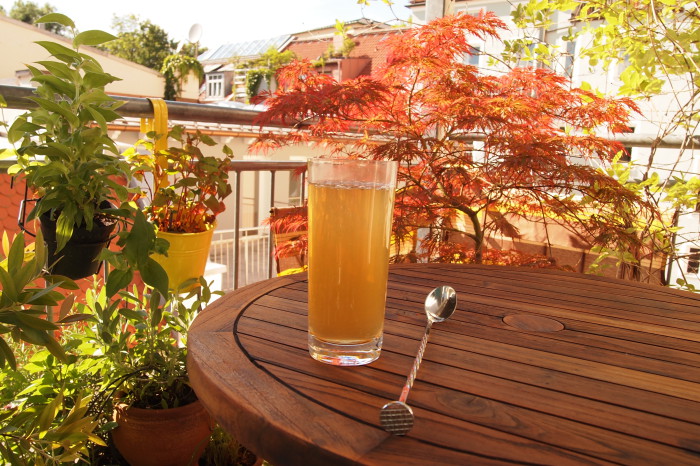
(77, 258)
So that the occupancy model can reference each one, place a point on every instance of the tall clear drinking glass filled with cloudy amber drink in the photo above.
(350, 212)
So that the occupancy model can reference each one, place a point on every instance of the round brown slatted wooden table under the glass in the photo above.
(535, 366)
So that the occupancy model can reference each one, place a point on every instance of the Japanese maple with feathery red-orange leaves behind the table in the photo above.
(423, 108)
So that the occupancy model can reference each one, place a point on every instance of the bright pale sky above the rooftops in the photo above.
(224, 21)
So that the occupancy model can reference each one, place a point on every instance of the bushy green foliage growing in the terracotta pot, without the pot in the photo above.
(143, 335)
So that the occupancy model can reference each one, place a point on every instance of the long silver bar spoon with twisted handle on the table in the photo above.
(396, 417)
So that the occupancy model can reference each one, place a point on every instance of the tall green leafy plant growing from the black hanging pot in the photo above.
(68, 158)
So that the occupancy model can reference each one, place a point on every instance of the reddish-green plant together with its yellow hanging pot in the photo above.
(185, 190)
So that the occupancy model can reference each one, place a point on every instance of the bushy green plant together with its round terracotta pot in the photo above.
(143, 336)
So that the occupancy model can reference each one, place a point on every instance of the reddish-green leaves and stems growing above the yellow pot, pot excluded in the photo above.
(187, 188)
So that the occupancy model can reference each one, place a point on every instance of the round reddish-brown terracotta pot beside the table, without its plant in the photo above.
(162, 437)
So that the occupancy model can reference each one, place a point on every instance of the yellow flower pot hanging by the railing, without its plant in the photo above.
(187, 255)
